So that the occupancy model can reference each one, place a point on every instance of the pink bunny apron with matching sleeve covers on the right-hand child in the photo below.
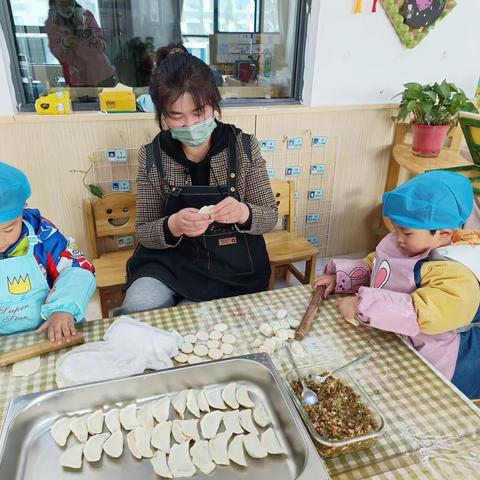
(385, 301)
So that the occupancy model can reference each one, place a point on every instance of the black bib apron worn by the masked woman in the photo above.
(220, 263)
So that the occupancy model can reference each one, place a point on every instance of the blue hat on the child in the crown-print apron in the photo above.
(14, 192)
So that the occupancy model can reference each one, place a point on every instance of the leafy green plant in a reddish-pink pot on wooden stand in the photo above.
(434, 110)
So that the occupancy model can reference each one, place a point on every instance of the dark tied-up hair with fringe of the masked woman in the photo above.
(178, 72)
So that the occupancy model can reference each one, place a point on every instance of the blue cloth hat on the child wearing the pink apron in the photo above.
(430, 201)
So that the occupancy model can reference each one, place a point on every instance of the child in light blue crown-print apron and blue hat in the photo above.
(45, 280)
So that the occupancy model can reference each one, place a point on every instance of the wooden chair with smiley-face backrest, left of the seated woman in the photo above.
(111, 216)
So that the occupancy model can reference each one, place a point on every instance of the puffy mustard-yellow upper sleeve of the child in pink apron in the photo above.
(448, 298)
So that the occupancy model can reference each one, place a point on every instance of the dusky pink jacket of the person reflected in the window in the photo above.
(85, 63)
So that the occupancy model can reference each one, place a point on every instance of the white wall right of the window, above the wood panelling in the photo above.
(359, 59)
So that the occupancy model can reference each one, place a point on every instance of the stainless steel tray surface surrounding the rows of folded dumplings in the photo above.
(28, 452)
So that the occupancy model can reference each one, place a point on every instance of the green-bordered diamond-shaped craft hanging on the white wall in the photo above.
(414, 19)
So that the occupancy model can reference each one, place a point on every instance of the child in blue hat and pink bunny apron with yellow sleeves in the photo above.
(410, 285)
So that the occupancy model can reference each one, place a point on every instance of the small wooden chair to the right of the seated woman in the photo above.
(285, 247)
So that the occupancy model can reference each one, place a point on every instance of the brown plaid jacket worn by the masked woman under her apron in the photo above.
(253, 188)
